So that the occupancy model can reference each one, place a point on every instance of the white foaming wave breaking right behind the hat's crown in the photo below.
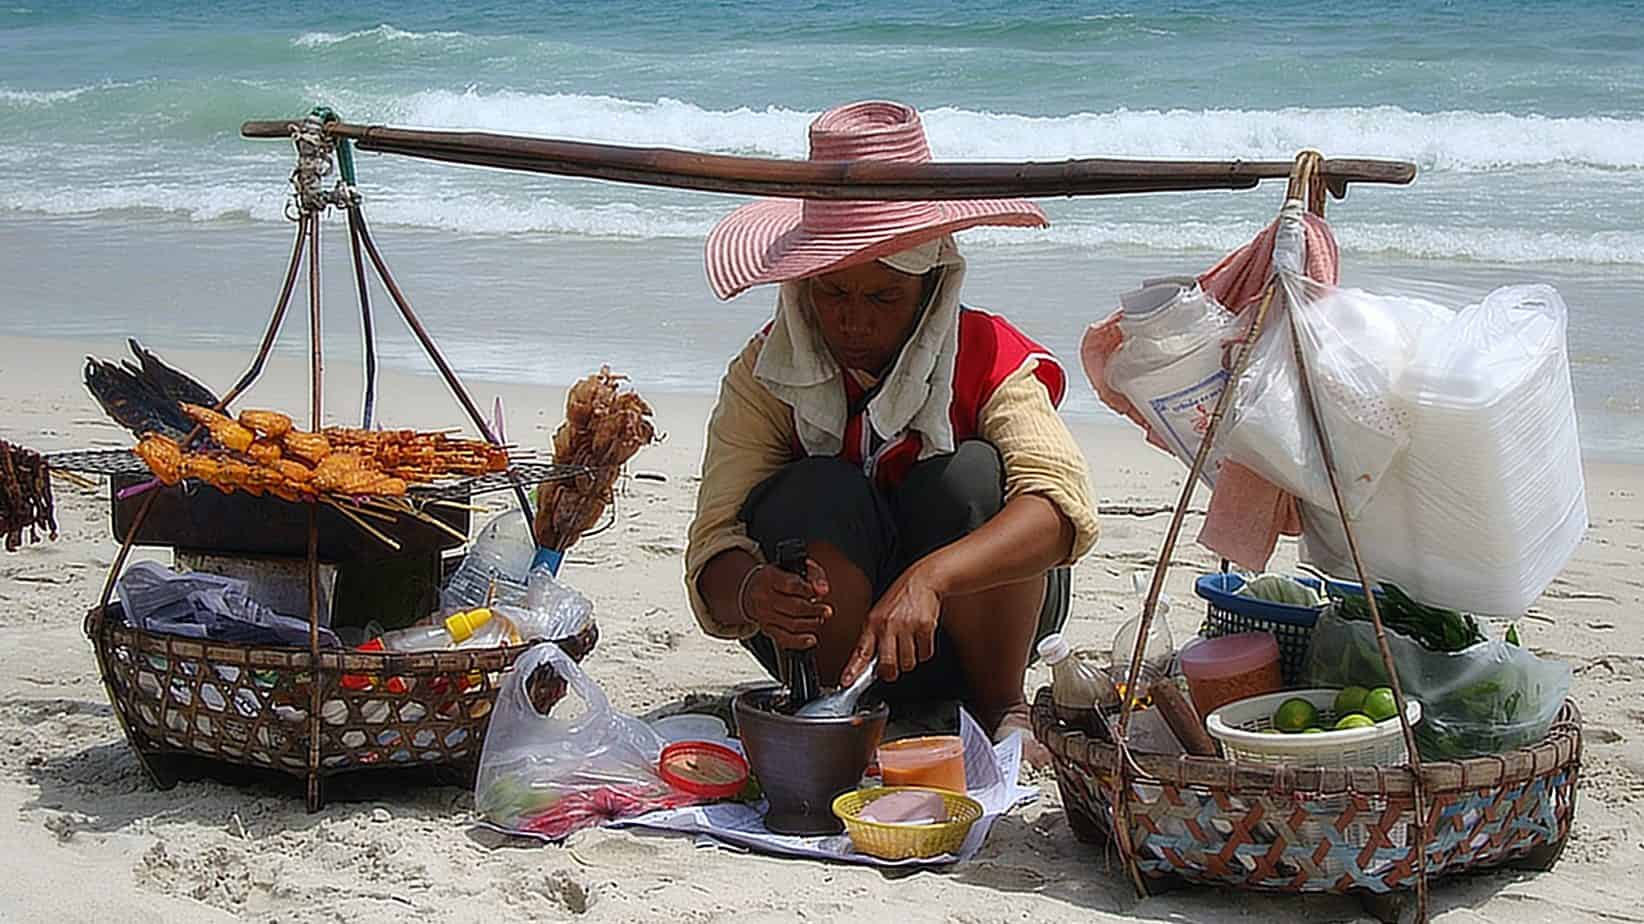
(1462, 141)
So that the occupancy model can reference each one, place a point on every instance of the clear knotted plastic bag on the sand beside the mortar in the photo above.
(552, 775)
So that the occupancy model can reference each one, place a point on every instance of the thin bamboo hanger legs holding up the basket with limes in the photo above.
(1306, 187)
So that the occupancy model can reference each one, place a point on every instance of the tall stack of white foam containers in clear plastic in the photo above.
(1489, 502)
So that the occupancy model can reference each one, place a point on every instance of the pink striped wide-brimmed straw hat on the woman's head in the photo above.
(775, 241)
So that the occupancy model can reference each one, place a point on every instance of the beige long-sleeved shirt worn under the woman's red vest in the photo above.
(752, 435)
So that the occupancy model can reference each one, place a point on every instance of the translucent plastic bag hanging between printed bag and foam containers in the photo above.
(1355, 344)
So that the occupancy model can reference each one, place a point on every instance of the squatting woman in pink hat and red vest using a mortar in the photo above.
(912, 443)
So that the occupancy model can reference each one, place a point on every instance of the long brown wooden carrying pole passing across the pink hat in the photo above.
(833, 180)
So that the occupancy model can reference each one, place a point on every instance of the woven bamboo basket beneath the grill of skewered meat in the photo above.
(251, 706)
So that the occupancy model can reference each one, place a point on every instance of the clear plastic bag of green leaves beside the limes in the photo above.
(1485, 700)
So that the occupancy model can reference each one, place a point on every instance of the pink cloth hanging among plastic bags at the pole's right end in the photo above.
(1247, 512)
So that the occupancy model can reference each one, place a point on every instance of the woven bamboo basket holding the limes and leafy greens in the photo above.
(1316, 829)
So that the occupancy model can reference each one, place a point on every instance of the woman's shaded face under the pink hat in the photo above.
(867, 313)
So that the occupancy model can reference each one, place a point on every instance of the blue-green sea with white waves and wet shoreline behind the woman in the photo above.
(129, 203)
